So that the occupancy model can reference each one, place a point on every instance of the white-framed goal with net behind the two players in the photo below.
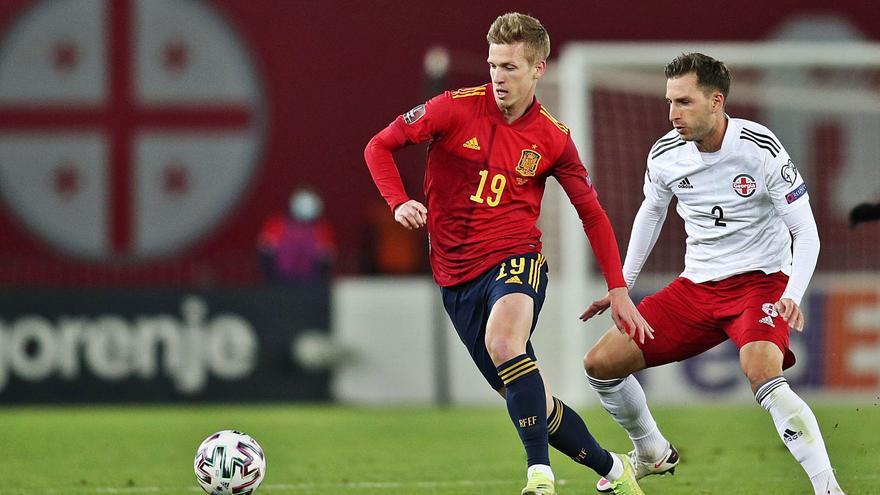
(822, 100)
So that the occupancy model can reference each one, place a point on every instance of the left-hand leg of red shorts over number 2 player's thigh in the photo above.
(681, 317)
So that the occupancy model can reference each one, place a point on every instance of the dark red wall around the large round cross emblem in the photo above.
(335, 72)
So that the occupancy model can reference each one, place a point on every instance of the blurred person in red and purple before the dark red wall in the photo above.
(299, 245)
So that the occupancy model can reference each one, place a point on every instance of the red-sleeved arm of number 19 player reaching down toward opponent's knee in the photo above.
(575, 181)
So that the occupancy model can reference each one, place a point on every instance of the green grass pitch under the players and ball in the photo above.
(726, 449)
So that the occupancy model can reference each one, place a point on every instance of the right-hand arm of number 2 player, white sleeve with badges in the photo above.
(788, 192)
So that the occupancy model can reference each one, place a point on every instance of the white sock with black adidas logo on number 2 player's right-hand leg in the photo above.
(799, 431)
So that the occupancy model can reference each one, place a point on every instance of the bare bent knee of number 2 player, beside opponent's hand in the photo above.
(615, 355)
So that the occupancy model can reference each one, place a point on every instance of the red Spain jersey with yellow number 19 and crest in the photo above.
(484, 179)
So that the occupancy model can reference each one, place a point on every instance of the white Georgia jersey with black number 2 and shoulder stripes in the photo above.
(731, 200)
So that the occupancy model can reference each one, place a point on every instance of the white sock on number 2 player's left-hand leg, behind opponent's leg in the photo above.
(625, 400)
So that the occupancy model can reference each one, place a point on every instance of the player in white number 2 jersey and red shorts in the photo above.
(752, 246)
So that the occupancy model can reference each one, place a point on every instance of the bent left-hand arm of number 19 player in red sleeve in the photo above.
(412, 127)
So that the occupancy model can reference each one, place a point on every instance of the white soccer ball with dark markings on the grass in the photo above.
(229, 462)
